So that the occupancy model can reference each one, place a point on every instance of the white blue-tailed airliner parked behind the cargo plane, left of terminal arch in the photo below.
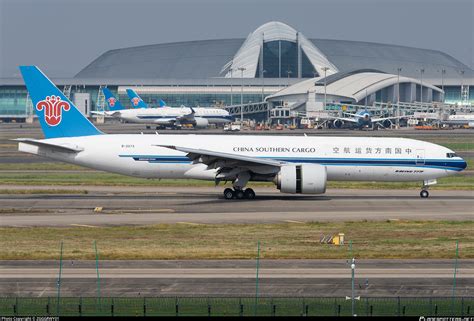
(168, 116)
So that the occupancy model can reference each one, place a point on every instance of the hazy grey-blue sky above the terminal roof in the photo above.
(63, 36)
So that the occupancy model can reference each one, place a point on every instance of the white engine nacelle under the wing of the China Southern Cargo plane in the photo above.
(302, 179)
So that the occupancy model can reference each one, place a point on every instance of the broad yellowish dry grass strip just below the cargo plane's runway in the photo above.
(371, 239)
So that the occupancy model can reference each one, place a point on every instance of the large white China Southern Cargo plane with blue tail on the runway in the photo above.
(300, 165)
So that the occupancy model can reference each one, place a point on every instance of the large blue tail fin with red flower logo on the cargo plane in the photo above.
(57, 115)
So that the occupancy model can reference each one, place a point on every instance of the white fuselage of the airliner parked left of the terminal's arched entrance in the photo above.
(167, 115)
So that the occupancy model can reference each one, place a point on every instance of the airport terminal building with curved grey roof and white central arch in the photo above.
(274, 65)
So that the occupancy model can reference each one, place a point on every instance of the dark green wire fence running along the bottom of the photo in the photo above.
(236, 306)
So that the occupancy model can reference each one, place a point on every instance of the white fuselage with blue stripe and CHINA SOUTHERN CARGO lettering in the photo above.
(345, 158)
